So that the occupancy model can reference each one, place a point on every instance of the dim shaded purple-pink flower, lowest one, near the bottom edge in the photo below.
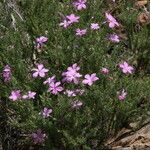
(38, 137)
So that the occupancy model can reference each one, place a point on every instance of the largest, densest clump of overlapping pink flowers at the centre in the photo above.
(72, 75)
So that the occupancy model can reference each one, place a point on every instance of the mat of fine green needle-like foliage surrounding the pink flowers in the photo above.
(102, 114)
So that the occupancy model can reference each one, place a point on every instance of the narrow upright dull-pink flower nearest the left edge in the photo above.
(7, 73)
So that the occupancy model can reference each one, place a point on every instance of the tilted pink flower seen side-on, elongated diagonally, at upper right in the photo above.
(112, 21)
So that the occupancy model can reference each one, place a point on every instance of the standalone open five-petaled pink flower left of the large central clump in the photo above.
(40, 71)
